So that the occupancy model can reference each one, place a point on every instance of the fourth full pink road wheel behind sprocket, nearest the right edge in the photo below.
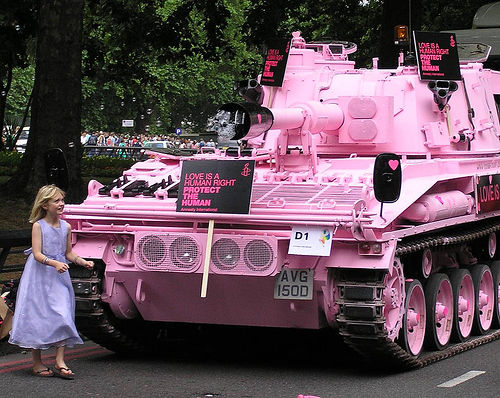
(483, 287)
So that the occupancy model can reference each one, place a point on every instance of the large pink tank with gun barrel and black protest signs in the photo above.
(362, 200)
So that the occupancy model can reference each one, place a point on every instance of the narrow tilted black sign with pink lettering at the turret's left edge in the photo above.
(275, 63)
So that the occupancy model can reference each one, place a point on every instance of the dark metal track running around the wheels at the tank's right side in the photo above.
(361, 320)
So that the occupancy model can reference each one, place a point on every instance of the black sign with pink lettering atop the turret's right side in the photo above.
(437, 56)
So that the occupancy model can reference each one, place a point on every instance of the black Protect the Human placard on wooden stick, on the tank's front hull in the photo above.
(216, 186)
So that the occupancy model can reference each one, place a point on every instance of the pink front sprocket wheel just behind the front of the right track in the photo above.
(394, 299)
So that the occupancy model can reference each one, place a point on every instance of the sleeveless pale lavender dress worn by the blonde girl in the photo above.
(44, 315)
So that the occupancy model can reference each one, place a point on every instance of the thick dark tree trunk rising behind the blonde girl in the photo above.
(56, 108)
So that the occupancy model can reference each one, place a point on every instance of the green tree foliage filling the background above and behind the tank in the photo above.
(163, 63)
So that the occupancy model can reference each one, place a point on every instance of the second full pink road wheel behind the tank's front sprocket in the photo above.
(439, 308)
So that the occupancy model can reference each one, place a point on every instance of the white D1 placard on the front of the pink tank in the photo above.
(311, 241)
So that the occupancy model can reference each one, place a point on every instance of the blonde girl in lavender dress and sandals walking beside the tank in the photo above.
(45, 306)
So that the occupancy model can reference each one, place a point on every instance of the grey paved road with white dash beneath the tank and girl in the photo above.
(282, 370)
